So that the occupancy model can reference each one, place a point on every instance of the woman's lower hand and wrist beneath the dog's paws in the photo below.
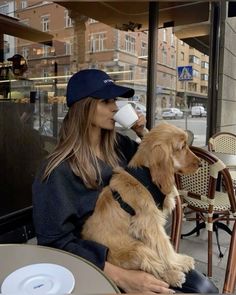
(136, 281)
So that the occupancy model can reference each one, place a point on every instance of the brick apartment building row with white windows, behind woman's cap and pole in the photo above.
(81, 42)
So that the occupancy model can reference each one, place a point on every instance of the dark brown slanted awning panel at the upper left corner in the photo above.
(12, 26)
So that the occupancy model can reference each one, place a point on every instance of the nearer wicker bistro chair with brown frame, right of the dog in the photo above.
(199, 193)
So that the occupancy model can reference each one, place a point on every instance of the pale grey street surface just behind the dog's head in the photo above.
(196, 125)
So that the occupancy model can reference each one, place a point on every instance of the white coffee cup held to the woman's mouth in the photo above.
(126, 116)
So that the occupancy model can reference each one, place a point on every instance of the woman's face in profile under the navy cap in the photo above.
(103, 117)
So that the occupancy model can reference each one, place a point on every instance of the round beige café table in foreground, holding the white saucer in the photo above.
(88, 278)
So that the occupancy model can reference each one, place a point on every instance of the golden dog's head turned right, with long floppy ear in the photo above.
(165, 151)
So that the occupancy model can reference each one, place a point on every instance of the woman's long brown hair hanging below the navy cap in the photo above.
(74, 144)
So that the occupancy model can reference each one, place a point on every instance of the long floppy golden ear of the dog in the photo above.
(161, 167)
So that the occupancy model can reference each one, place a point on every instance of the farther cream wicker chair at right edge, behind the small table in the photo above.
(224, 142)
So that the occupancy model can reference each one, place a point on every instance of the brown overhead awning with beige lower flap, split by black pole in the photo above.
(190, 20)
